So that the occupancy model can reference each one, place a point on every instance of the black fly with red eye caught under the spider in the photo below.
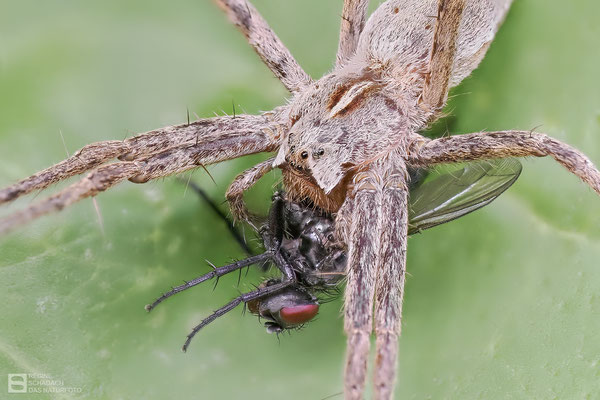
(300, 242)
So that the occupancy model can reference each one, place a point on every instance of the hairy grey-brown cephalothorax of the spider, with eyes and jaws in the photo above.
(349, 116)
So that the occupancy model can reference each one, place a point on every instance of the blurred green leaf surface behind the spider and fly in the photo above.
(502, 304)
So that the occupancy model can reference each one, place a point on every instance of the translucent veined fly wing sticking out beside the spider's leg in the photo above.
(451, 193)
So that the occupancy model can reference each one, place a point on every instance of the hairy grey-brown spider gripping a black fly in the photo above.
(344, 141)
